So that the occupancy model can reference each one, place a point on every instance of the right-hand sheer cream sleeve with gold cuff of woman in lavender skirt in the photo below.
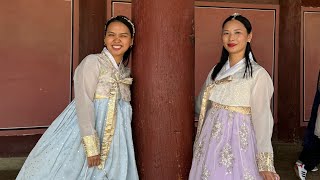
(262, 119)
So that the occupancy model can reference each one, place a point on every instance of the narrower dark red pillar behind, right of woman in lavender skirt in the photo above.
(289, 70)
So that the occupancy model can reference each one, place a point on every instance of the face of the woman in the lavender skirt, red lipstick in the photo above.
(235, 37)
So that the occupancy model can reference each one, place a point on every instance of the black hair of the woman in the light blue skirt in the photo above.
(126, 21)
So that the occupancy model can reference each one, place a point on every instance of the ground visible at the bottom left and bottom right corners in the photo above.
(285, 156)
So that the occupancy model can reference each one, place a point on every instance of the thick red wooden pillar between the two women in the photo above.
(163, 89)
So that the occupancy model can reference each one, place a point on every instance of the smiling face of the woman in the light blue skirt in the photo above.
(118, 39)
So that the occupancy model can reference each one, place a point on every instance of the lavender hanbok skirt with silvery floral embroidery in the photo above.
(226, 147)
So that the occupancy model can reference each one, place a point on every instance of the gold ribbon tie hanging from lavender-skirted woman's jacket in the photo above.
(204, 102)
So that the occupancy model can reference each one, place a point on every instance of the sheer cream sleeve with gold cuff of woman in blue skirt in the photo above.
(85, 83)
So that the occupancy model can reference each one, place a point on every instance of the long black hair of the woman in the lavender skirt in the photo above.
(225, 53)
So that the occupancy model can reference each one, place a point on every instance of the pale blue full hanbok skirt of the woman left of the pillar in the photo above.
(59, 154)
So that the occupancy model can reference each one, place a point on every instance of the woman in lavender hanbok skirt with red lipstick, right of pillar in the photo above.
(233, 140)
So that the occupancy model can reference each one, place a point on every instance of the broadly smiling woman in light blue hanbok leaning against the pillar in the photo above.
(91, 139)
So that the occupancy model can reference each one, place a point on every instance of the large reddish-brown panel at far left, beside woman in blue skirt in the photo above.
(35, 55)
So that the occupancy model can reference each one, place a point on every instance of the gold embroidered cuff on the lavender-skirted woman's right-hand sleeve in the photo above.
(265, 162)
